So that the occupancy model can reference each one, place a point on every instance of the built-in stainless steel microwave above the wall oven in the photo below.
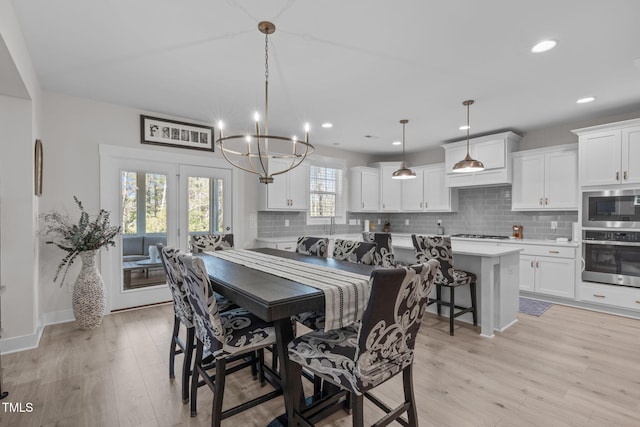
(611, 208)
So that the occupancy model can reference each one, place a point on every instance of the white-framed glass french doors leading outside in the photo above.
(157, 199)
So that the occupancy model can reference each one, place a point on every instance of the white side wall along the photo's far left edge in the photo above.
(20, 116)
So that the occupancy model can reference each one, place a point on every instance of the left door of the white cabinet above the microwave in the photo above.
(600, 158)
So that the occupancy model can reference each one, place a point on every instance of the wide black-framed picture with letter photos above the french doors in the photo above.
(172, 133)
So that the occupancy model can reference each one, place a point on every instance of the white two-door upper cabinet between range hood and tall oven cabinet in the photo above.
(545, 179)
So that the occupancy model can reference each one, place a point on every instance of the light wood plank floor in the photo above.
(569, 367)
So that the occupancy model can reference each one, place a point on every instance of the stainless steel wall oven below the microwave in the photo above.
(611, 257)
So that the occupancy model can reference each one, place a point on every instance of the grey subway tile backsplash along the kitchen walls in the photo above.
(482, 210)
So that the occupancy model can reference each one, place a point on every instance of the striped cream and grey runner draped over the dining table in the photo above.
(346, 294)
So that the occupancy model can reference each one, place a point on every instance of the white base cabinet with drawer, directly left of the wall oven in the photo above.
(548, 270)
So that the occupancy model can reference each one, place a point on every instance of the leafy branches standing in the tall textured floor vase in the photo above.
(85, 235)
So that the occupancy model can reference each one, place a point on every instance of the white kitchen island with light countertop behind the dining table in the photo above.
(496, 267)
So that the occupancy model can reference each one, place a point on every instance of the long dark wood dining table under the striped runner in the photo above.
(275, 299)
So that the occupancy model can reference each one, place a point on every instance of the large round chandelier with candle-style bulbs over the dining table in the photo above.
(253, 153)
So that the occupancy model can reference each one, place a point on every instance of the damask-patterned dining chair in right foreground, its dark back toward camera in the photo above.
(358, 359)
